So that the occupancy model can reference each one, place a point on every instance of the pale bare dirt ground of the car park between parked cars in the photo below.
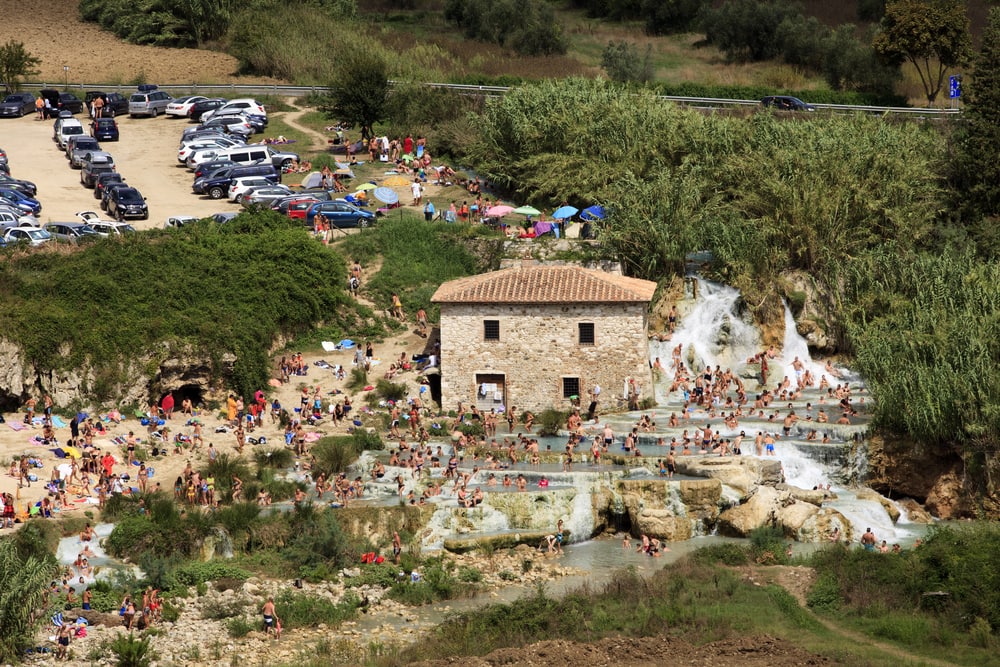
(146, 155)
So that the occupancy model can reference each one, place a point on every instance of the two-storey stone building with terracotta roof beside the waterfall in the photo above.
(537, 336)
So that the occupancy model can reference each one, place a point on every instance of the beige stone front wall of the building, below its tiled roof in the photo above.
(538, 347)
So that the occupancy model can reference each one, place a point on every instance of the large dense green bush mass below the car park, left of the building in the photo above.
(140, 292)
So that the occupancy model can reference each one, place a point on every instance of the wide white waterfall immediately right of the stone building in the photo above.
(712, 332)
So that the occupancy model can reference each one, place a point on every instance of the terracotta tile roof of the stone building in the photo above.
(545, 284)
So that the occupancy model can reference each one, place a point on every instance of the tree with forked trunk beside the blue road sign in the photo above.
(933, 35)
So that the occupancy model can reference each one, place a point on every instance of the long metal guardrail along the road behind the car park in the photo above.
(244, 90)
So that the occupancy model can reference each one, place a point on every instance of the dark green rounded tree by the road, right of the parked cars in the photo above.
(360, 91)
